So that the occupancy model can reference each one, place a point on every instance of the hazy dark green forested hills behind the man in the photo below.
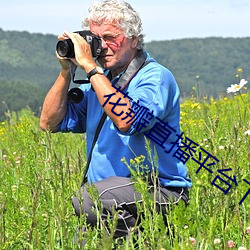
(202, 67)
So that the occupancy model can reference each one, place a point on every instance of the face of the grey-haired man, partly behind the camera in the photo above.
(118, 50)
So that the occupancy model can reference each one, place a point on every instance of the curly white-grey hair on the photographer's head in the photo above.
(120, 13)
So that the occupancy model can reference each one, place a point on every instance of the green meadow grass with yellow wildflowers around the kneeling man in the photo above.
(40, 172)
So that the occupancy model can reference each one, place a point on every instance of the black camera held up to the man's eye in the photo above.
(65, 48)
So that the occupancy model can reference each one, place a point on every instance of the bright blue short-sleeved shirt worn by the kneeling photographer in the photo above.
(155, 89)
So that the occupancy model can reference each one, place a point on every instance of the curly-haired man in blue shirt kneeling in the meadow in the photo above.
(131, 81)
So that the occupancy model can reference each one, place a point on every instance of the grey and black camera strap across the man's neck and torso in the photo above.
(136, 64)
